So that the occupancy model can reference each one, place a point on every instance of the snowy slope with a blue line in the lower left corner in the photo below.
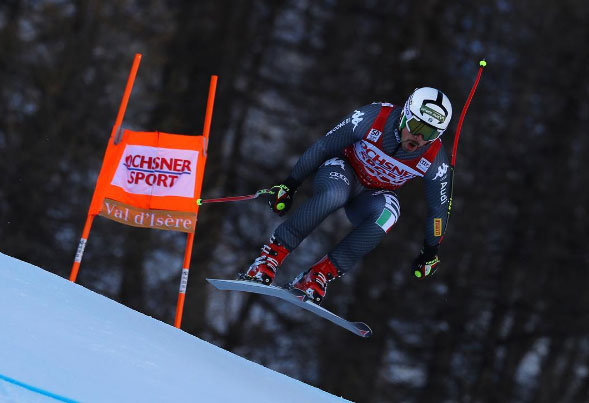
(60, 341)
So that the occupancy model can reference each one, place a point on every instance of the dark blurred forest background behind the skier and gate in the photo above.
(505, 319)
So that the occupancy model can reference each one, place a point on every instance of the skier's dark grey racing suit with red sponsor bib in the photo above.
(359, 164)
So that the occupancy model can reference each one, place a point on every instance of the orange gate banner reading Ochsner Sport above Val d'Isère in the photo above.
(151, 180)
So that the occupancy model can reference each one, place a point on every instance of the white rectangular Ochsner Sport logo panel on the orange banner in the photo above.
(157, 171)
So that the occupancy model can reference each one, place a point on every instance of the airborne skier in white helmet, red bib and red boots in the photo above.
(360, 163)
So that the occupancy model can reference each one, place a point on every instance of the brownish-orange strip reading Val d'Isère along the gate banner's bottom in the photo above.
(157, 219)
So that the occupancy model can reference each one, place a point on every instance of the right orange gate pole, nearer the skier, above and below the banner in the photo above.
(190, 238)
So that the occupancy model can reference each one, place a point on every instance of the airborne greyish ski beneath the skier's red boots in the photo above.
(295, 297)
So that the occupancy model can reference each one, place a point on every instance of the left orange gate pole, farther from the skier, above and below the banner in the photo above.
(116, 129)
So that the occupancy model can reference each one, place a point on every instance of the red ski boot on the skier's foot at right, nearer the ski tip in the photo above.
(313, 282)
